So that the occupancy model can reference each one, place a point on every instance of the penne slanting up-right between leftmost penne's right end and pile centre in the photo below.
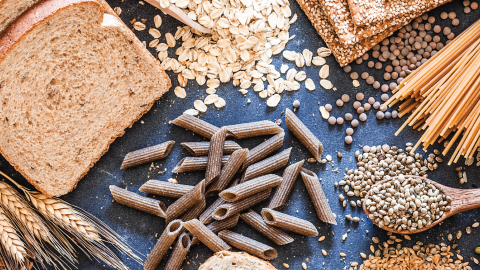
(187, 201)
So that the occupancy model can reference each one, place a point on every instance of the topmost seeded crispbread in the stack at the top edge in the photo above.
(369, 12)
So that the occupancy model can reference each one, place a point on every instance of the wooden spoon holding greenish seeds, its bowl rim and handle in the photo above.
(462, 200)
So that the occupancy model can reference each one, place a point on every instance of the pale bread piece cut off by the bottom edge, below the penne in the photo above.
(226, 260)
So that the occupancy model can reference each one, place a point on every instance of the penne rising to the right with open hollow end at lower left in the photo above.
(229, 209)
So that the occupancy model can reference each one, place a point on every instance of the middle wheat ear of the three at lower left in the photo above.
(18, 207)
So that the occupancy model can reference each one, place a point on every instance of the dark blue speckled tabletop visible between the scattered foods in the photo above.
(139, 228)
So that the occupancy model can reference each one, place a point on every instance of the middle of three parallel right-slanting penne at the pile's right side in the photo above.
(267, 165)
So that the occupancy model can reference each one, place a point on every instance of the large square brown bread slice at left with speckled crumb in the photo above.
(71, 80)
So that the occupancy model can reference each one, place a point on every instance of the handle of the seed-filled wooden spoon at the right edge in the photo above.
(464, 199)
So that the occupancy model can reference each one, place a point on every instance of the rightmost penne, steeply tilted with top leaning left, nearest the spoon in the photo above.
(320, 202)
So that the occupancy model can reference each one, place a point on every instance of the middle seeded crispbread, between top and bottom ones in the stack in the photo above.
(340, 16)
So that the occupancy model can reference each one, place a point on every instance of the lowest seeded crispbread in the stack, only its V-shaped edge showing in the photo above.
(345, 53)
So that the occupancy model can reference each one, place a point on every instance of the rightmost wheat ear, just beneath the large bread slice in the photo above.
(55, 209)
